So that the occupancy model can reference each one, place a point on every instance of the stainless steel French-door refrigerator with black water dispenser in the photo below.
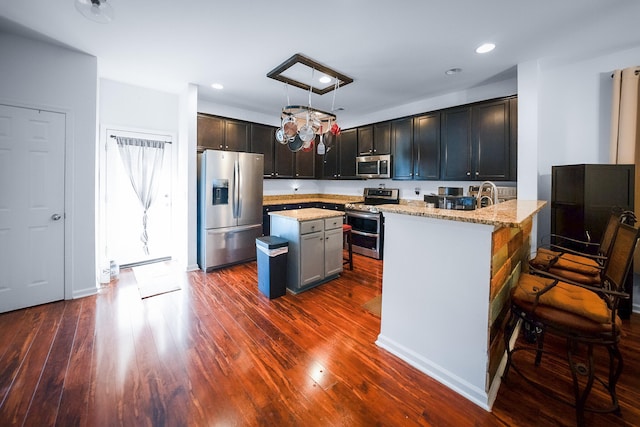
(229, 207)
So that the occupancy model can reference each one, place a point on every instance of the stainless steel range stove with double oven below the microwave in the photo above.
(367, 224)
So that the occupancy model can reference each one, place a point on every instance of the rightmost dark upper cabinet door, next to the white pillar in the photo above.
(490, 140)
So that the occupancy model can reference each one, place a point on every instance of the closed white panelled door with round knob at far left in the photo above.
(31, 207)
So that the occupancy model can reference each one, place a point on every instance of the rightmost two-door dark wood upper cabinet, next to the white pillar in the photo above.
(477, 142)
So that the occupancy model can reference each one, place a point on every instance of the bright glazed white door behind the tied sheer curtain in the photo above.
(124, 211)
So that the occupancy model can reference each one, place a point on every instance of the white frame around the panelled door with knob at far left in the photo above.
(69, 180)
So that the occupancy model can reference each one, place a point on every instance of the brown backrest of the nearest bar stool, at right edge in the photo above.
(620, 256)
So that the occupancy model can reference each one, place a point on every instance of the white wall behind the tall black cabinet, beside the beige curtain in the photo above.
(574, 108)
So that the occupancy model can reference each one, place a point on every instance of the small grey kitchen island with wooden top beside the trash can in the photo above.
(315, 245)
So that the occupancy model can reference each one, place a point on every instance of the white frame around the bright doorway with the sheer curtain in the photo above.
(106, 130)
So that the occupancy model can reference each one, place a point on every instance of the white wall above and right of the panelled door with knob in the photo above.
(39, 75)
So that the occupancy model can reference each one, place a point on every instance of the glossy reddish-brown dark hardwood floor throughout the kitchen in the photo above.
(217, 352)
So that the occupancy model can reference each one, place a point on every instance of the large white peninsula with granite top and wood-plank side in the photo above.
(445, 289)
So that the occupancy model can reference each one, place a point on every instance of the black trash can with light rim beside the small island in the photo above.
(271, 253)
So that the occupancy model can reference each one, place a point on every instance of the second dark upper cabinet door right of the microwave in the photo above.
(426, 147)
